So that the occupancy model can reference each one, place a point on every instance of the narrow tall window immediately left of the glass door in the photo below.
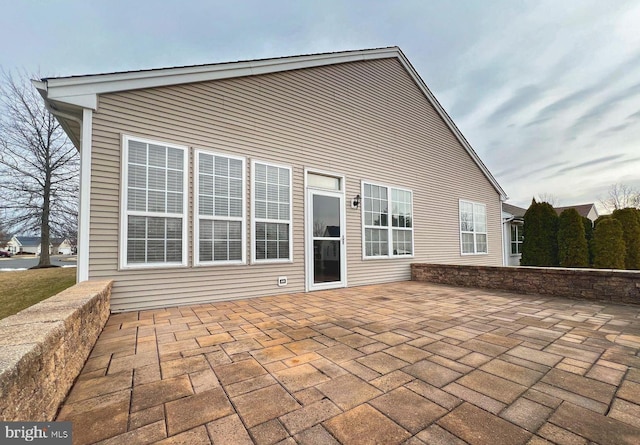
(271, 212)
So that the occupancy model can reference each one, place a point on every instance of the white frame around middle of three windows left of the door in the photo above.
(196, 211)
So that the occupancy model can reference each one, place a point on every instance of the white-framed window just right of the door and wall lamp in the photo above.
(387, 220)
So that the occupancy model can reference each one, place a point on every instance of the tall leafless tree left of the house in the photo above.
(38, 165)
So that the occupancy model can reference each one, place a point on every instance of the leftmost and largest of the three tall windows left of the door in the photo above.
(154, 201)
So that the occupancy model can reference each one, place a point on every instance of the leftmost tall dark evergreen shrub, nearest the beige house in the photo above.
(540, 244)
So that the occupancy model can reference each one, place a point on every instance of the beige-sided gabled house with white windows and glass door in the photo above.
(205, 183)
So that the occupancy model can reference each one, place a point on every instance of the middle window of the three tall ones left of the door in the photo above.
(219, 191)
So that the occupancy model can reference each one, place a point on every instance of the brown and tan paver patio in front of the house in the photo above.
(389, 364)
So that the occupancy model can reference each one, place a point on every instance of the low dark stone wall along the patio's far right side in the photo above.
(615, 286)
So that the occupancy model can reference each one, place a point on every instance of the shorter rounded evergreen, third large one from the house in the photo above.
(608, 244)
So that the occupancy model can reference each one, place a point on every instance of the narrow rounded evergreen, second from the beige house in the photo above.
(572, 243)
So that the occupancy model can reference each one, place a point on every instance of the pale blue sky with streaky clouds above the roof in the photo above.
(547, 92)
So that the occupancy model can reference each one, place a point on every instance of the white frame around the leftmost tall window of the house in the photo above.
(124, 213)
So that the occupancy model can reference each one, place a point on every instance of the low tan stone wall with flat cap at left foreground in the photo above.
(43, 349)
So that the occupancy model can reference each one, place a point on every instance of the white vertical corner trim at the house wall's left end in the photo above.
(85, 196)
